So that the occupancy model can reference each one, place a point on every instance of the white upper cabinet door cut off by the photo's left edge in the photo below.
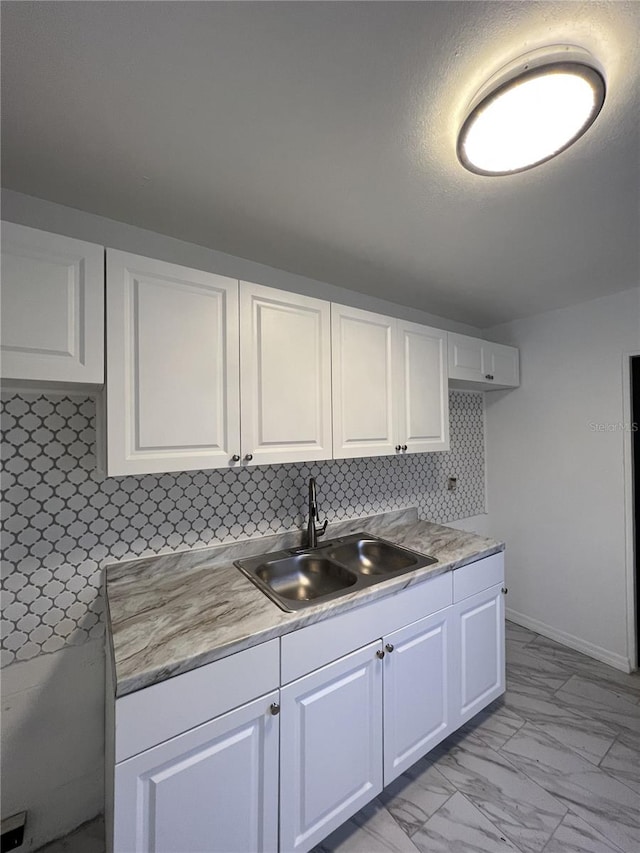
(52, 307)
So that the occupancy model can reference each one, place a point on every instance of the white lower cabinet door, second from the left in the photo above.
(331, 757)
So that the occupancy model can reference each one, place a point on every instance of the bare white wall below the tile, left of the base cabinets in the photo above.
(53, 740)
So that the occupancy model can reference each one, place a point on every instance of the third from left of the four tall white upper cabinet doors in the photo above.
(363, 383)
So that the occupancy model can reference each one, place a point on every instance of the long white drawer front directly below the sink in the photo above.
(319, 644)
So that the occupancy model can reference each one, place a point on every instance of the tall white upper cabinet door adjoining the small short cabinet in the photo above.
(423, 393)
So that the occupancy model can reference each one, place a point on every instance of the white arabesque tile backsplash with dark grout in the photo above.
(62, 520)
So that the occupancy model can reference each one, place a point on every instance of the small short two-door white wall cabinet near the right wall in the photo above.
(474, 363)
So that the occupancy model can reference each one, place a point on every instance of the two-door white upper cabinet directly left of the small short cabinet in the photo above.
(389, 385)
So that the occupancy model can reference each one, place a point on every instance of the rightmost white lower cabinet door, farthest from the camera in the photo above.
(478, 637)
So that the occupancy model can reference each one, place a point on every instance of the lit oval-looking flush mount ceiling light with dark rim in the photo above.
(531, 110)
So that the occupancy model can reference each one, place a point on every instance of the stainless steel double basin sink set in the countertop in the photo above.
(303, 577)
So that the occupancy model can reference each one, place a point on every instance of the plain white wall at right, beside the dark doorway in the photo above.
(556, 486)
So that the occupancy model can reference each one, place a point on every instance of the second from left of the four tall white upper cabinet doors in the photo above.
(285, 364)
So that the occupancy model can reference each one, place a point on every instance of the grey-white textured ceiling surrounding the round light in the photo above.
(320, 138)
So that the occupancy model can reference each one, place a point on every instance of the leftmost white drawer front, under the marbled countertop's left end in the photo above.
(164, 710)
